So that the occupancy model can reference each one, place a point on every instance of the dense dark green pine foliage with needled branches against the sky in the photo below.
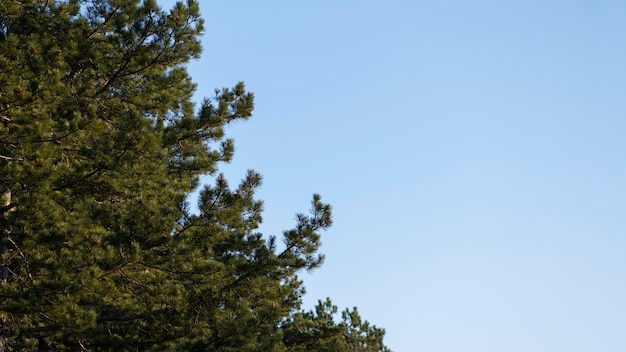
(99, 148)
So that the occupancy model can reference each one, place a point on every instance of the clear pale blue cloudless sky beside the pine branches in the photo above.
(474, 153)
